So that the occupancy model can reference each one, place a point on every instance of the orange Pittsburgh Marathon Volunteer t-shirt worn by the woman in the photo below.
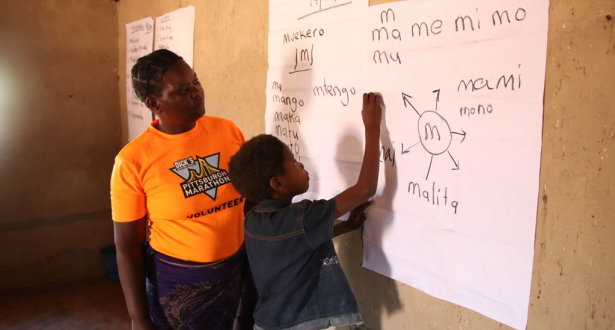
(181, 182)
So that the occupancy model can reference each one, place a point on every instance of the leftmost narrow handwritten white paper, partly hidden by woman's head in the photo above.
(139, 42)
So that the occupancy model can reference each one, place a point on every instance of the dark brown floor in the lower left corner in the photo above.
(94, 304)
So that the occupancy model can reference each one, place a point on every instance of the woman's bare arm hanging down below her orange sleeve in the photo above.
(129, 241)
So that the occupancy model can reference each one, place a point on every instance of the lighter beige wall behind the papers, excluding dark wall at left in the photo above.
(573, 286)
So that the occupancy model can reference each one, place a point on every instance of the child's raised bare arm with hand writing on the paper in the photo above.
(368, 177)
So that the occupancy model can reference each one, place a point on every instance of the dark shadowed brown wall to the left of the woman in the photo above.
(59, 133)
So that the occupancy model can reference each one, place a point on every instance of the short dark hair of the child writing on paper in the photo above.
(252, 167)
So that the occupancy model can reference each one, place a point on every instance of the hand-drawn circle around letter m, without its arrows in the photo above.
(434, 132)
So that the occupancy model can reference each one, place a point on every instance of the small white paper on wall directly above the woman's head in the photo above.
(175, 32)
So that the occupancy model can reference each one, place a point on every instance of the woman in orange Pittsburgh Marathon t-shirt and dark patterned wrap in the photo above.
(191, 271)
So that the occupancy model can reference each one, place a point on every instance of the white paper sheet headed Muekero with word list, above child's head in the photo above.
(314, 87)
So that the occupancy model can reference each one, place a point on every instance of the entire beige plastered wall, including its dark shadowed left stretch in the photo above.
(57, 150)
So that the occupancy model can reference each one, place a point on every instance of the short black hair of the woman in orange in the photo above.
(147, 73)
